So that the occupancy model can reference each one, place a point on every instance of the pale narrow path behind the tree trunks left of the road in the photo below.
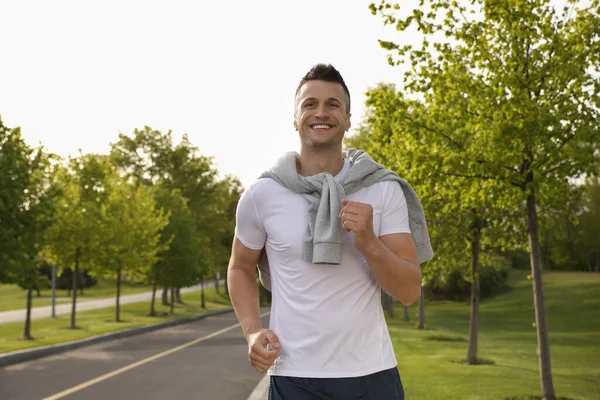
(65, 308)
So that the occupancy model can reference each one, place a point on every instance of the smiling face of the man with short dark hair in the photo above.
(320, 115)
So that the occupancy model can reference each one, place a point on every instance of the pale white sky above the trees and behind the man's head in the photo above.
(73, 74)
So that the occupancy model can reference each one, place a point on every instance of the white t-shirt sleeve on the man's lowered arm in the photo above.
(248, 225)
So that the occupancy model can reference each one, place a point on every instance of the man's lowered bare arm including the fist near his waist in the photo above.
(243, 291)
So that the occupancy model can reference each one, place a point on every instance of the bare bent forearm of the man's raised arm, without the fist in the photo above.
(397, 276)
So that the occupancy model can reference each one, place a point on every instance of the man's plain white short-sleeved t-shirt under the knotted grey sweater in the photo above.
(328, 318)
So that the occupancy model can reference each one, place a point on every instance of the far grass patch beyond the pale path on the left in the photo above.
(12, 297)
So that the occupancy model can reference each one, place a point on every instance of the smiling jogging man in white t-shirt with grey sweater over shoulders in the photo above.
(334, 229)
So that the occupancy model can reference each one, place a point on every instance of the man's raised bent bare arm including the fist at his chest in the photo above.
(392, 258)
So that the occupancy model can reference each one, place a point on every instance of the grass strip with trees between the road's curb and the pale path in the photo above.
(49, 331)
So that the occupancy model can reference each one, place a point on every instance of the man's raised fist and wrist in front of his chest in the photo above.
(358, 218)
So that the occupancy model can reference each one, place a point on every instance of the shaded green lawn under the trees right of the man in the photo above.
(430, 361)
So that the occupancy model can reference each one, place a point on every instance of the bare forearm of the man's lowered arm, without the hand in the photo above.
(243, 292)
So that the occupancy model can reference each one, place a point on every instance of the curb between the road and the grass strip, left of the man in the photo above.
(20, 356)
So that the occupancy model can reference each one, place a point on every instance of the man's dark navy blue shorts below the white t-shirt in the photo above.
(383, 385)
